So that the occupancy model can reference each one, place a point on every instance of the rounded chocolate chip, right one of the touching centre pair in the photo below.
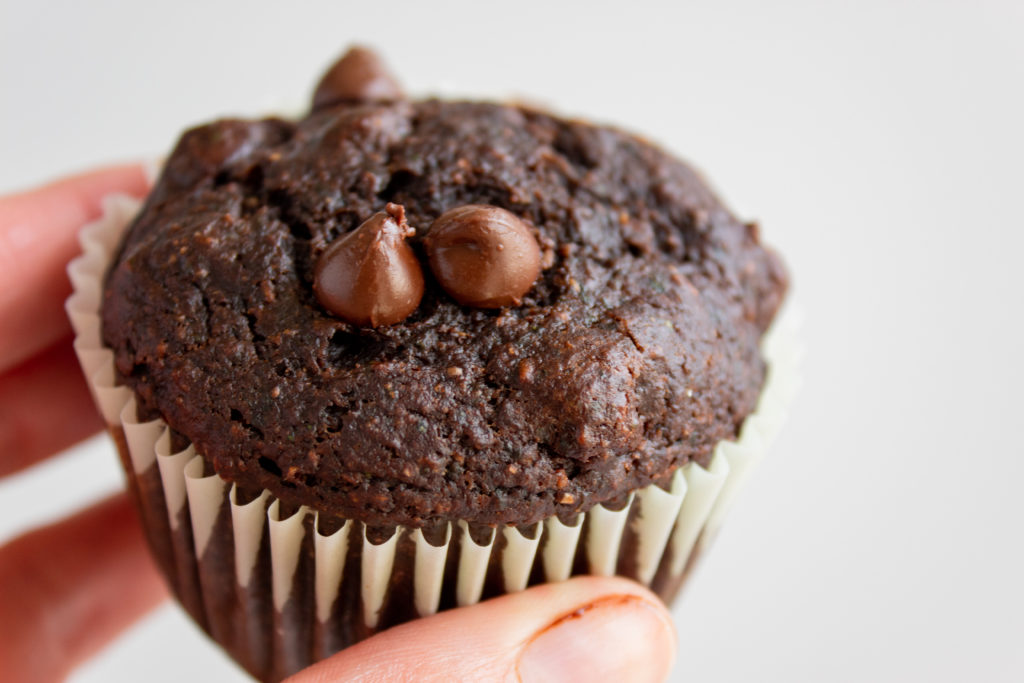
(484, 257)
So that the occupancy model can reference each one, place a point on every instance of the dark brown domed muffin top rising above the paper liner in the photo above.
(634, 351)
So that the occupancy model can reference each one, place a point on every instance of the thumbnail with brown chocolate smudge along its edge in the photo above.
(624, 638)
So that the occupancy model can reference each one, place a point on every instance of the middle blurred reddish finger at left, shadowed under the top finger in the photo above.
(47, 408)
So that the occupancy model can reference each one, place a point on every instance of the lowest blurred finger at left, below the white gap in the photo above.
(72, 587)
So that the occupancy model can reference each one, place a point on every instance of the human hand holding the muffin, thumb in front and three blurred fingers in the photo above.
(68, 589)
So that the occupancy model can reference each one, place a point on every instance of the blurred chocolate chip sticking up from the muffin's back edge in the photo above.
(360, 76)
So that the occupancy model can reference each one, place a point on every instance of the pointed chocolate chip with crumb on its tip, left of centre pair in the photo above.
(371, 277)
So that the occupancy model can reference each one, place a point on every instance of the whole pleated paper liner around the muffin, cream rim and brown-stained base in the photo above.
(279, 592)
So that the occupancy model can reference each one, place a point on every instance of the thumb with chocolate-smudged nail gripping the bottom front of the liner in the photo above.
(587, 629)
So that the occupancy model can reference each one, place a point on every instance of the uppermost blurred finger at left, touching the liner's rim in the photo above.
(38, 233)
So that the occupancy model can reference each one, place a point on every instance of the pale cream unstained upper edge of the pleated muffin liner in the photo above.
(679, 522)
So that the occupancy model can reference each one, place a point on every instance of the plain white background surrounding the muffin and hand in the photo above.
(881, 147)
